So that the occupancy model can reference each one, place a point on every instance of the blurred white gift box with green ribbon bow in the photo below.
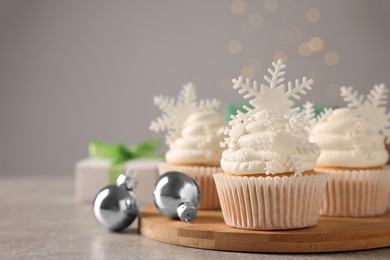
(106, 161)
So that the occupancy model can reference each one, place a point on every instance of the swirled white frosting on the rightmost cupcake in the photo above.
(349, 140)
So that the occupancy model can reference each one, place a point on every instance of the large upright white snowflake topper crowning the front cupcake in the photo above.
(273, 96)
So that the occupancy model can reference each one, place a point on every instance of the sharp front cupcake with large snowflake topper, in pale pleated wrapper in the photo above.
(268, 180)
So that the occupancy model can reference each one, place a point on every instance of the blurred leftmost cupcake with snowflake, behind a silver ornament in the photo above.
(193, 140)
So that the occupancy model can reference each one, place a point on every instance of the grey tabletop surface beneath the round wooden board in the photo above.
(40, 219)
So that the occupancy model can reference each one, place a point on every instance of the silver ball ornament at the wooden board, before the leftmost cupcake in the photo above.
(176, 195)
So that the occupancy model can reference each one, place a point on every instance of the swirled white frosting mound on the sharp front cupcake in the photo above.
(269, 144)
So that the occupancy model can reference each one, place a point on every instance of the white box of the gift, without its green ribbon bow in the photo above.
(91, 175)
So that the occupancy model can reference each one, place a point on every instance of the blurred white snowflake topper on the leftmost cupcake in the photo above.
(175, 112)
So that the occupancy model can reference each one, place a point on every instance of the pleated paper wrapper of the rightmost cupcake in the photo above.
(356, 193)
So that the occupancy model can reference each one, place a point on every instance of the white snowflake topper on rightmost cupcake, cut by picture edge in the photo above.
(372, 107)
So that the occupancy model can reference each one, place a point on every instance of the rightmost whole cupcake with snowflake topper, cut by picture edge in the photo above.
(354, 154)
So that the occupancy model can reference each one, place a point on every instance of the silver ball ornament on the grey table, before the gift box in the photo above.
(116, 206)
